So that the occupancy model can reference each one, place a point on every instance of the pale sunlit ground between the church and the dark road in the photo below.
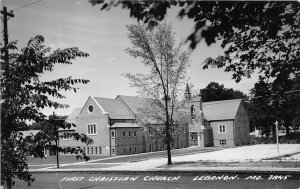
(256, 153)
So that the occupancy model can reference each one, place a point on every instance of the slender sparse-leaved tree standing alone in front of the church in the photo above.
(167, 64)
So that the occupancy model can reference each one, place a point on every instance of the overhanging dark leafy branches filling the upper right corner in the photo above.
(258, 37)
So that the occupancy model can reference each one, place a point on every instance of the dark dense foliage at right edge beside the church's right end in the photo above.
(266, 107)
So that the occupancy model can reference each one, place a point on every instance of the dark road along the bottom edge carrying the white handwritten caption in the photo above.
(147, 180)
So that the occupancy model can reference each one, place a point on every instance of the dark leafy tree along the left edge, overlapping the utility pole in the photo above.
(24, 95)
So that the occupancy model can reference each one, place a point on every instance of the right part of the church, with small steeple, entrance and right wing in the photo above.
(222, 123)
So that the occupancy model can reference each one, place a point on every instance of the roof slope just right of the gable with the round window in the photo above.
(114, 108)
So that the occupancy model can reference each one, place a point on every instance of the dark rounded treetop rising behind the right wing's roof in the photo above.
(214, 91)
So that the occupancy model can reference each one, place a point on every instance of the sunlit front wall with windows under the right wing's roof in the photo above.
(228, 136)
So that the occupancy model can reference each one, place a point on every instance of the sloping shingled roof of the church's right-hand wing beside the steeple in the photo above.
(221, 110)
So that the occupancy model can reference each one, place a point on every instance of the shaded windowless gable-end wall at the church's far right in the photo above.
(242, 130)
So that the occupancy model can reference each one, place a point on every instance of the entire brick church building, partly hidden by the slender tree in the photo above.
(113, 126)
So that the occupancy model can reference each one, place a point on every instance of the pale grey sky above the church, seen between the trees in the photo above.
(103, 34)
